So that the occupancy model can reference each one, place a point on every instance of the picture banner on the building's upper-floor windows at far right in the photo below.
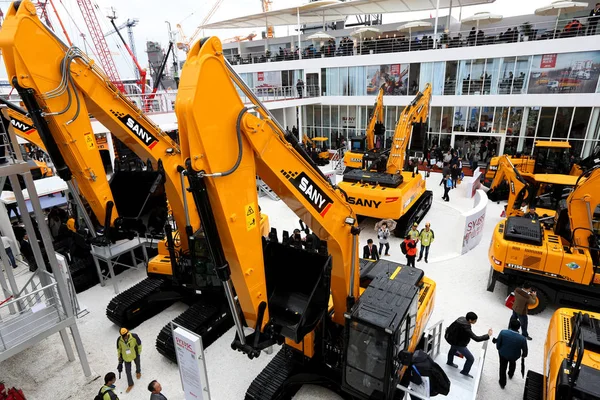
(563, 73)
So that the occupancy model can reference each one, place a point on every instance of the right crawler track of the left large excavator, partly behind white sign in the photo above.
(209, 318)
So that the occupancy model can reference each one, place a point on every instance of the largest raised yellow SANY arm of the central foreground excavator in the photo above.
(226, 152)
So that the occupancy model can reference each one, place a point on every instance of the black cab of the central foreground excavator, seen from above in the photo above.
(376, 334)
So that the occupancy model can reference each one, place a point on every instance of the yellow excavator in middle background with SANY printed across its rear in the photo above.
(381, 189)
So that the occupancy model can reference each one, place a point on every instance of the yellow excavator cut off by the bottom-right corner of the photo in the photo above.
(571, 359)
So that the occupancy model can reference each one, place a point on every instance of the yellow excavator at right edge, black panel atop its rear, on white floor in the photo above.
(560, 258)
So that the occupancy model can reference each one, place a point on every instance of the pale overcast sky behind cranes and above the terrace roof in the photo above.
(153, 14)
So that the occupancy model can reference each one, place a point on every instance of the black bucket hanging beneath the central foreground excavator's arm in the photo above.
(298, 285)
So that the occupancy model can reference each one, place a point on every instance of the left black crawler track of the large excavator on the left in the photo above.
(131, 307)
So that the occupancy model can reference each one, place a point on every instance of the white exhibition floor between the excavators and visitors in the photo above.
(43, 372)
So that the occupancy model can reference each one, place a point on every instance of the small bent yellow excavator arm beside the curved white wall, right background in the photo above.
(519, 188)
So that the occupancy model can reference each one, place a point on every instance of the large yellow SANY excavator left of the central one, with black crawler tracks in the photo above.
(60, 94)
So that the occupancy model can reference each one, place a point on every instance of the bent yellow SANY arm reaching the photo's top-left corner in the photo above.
(61, 86)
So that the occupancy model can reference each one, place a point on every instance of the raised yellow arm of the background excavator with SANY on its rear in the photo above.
(416, 112)
